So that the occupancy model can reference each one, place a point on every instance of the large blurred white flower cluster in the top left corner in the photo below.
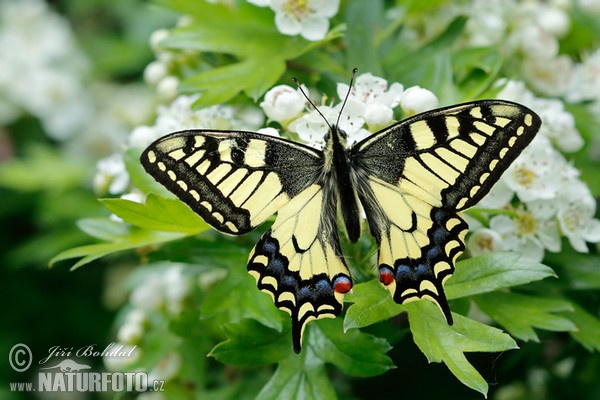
(42, 68)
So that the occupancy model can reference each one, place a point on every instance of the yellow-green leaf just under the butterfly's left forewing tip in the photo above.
(158, 213)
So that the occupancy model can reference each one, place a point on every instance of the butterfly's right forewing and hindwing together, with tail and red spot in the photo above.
(414, 177)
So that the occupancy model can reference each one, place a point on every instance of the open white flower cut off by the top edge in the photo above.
(309, 18)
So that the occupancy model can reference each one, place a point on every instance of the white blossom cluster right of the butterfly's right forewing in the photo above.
(552, 200)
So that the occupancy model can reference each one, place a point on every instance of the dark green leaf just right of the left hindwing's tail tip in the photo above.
(354, 352)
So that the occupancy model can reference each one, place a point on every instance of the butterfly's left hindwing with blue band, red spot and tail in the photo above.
(299, 262)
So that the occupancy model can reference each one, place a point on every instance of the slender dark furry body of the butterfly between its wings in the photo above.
(338, 169)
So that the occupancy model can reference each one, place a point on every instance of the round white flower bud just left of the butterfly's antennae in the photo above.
(283, 104)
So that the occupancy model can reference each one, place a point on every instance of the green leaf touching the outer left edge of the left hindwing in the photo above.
(236, 298)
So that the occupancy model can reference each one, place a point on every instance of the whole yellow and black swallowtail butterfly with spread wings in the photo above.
(411, 180)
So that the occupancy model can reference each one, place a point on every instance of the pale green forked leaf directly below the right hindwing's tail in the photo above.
(441, 342)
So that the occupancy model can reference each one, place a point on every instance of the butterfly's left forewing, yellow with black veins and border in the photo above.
(233, 180)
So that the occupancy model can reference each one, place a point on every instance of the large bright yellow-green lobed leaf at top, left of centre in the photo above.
(260, 57)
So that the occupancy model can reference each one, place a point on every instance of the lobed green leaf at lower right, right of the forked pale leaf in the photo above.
(519, 314)
